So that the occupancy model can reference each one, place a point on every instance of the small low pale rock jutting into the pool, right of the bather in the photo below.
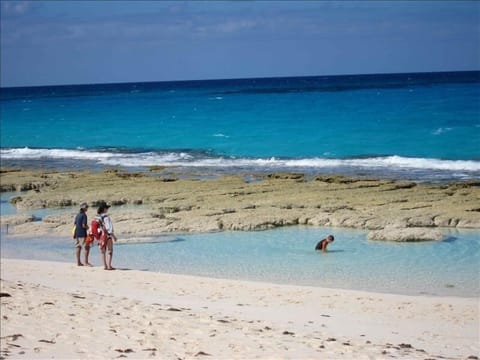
(406, 234)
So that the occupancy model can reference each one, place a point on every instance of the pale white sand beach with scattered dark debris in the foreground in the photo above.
(59, 310)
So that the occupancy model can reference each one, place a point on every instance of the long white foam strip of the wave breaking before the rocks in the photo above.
(186, 159)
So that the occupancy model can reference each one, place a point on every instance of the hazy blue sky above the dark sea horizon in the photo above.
(85, 42)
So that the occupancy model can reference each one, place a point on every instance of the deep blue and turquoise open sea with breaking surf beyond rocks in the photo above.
(421, 126)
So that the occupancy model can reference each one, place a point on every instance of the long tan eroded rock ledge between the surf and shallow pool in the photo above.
(151, 203)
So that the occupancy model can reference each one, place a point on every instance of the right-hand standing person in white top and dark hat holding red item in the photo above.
(105, 235)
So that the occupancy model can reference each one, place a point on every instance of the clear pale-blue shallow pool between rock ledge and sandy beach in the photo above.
(287, 256)
